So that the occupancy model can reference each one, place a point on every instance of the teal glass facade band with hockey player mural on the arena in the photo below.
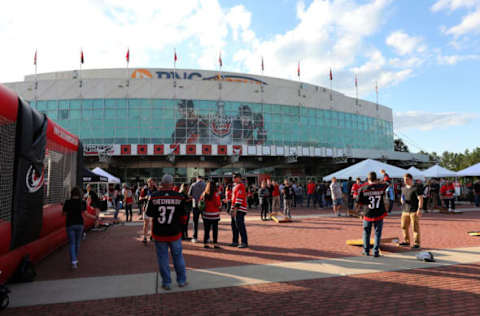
(165, 121)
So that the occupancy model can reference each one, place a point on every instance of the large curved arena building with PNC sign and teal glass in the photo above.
(139, 123)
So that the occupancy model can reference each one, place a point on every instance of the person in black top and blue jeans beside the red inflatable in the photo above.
(73, 210)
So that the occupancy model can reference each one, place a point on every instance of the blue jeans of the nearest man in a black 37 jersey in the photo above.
(178, 262)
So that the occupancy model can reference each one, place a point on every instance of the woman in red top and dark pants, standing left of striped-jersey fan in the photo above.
(211, 214)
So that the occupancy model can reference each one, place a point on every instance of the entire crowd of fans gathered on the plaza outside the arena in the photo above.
(166, 209)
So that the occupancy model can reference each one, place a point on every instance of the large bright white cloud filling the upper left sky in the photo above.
(105, 29)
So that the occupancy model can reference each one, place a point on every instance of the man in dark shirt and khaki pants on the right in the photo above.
(412, 203)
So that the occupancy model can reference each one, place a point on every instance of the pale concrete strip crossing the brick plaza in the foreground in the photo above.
(94, 288)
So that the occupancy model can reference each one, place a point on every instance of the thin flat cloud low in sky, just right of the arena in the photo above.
(426, 121)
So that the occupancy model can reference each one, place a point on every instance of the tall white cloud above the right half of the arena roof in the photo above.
(330, 34)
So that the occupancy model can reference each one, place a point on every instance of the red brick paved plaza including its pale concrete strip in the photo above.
(303, 267)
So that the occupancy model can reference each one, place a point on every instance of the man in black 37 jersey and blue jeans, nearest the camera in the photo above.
(167, 210)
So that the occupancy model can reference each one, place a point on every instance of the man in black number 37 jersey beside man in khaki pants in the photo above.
(372, 196)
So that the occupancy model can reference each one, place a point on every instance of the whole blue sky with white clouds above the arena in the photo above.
(425, 55)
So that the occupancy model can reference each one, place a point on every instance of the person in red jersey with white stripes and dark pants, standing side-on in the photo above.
(239, 210)
